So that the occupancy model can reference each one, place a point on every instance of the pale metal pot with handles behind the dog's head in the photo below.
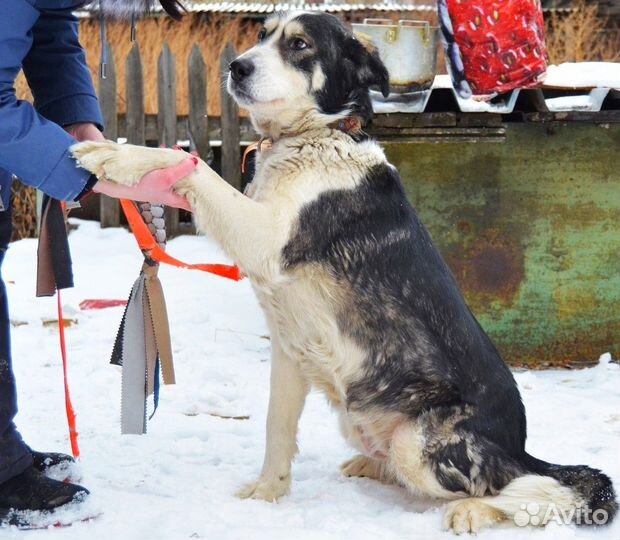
(408, 50)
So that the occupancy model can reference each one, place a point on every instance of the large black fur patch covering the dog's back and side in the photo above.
(426, 349)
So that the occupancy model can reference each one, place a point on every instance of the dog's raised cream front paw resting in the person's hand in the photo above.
(123, 163)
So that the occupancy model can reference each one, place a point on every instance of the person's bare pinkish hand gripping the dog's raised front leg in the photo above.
(154, 187)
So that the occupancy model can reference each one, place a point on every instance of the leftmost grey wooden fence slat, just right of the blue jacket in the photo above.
(109, 209)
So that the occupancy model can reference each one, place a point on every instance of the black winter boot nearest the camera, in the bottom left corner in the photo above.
(32, 490)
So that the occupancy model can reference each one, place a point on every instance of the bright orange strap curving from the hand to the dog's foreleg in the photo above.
(148, 244)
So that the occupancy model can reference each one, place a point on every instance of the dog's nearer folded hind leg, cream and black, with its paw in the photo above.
(435, 456)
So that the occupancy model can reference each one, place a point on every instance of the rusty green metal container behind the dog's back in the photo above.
(530, 225)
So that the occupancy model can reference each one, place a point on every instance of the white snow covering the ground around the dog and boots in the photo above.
(178, 481)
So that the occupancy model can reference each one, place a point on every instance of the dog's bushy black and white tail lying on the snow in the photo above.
(562, 493)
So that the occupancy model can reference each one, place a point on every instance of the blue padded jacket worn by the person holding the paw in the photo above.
(41, 36)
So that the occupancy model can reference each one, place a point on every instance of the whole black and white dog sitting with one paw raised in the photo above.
(359, 302)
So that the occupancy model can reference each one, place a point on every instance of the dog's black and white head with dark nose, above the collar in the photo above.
(306, 62)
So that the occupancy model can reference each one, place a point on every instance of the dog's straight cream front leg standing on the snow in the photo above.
(287, 396)
